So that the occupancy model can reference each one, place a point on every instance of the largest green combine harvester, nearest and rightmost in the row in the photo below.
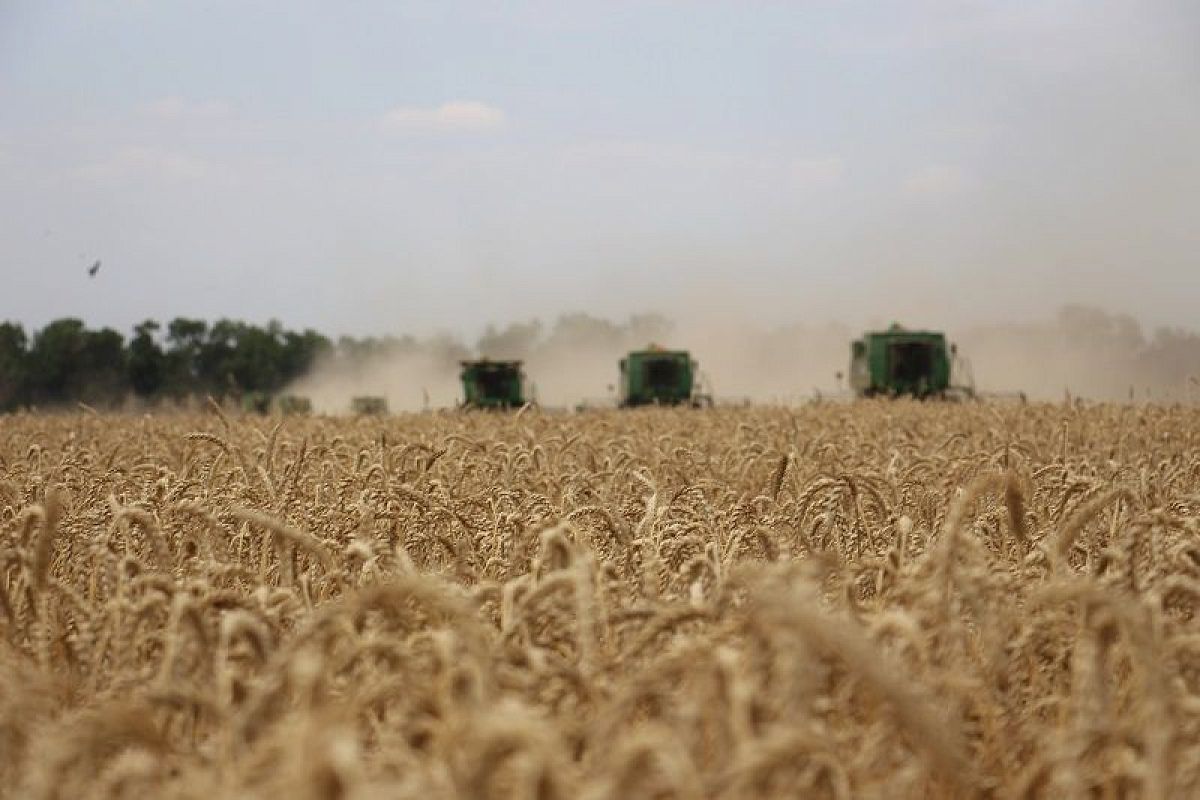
(903, 363)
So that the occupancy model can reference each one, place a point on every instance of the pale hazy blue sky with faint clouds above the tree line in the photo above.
(409, 167)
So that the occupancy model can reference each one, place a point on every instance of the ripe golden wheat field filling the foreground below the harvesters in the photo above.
(869, 600)
